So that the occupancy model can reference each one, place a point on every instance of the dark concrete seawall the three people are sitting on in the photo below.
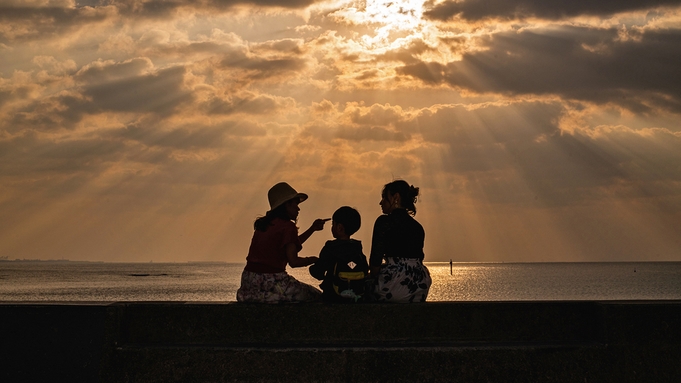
(628, 341)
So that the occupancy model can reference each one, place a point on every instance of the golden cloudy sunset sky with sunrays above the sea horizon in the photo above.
(537, 130)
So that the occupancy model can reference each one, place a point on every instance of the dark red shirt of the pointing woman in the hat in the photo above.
(267, 253)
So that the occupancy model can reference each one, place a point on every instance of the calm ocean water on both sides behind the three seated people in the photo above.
(94, 281)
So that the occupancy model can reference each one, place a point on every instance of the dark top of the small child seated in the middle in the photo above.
(339, 251)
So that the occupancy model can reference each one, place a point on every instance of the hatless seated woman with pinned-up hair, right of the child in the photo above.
(396, 259)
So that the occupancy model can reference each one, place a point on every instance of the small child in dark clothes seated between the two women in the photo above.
(342, 266)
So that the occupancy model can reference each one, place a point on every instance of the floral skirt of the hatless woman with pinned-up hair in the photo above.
(402, 280)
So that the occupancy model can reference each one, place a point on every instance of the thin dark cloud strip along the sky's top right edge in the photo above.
(474, 10)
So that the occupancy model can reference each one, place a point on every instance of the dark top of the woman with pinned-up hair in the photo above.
(397, 235)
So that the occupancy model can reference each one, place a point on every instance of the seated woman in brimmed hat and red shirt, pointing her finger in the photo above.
(275, 244)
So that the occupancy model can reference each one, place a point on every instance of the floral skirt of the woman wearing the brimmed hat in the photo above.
(274, 288)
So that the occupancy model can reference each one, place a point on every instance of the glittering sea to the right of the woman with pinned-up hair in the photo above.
(556, 281)
